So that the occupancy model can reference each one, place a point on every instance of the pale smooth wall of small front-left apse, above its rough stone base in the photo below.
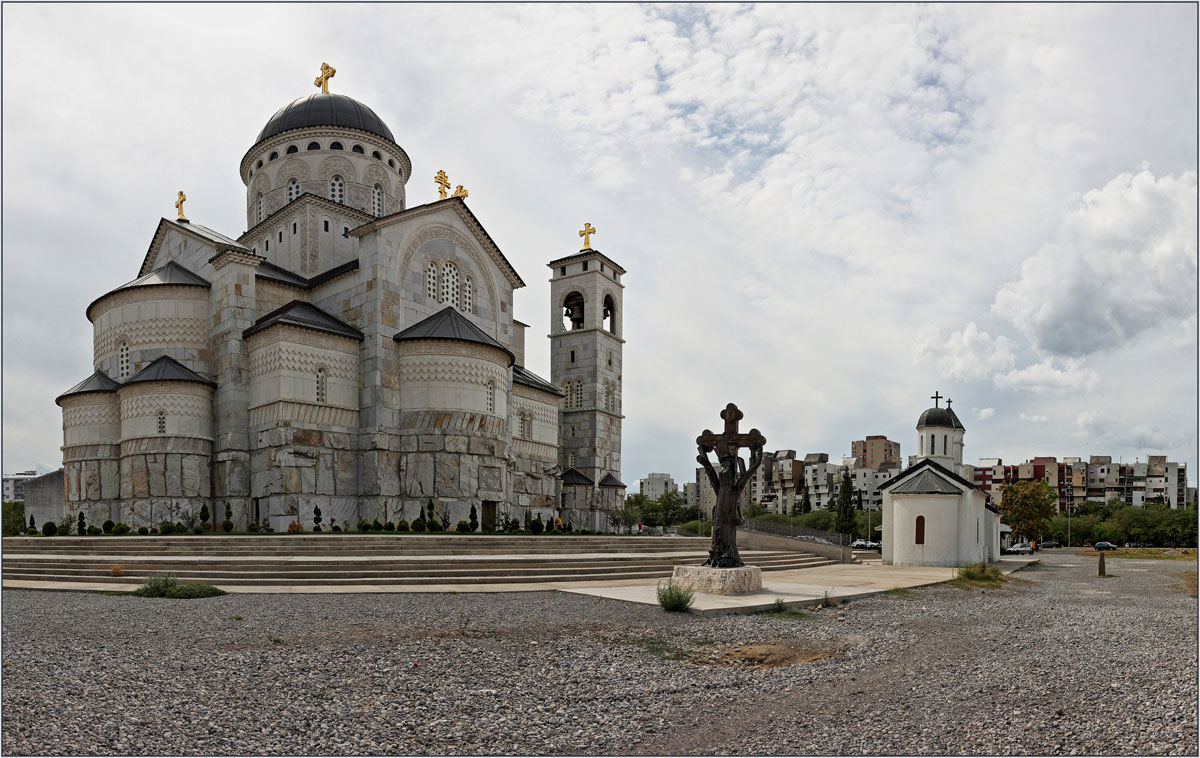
(188, 407)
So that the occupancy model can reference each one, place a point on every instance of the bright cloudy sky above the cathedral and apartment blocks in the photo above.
(827, 212)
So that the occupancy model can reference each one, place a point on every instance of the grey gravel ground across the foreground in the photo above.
(1057, 663)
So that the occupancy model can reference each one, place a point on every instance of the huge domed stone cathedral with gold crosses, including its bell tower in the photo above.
(347, 352)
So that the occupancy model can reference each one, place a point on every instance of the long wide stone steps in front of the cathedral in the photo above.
(379, 561)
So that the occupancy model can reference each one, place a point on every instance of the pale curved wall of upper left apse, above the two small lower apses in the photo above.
(155, 322)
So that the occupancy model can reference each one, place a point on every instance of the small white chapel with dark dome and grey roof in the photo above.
(932, 515)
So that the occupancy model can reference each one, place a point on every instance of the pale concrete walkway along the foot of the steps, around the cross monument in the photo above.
(797, 588)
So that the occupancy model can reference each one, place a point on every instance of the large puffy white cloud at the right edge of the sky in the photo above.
(1121, 263)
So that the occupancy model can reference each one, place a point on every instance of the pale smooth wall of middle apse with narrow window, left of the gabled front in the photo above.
(284, 365)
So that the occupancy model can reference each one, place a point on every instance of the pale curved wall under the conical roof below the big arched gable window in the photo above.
(439, 375)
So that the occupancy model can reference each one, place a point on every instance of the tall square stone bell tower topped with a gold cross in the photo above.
(586, 360)
